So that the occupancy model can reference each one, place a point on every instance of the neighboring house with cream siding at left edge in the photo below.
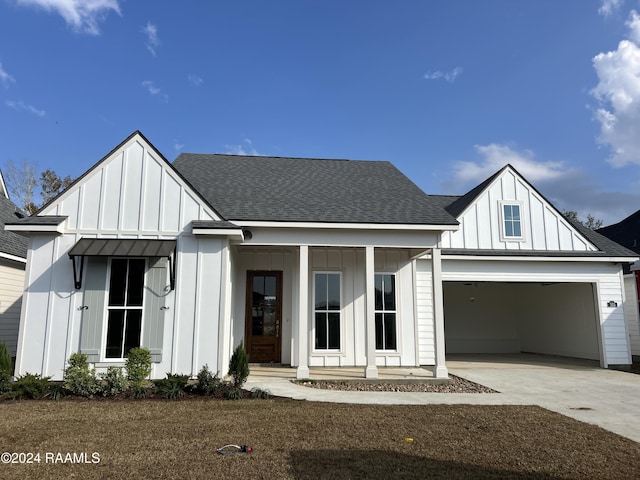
(13, 259)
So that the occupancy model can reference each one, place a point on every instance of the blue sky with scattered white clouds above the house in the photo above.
(449, 91)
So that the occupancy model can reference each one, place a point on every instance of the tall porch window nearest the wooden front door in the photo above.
(327, 311)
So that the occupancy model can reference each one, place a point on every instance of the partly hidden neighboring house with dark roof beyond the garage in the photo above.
(627, 233)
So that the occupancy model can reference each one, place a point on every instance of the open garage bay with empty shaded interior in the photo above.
(499, 317)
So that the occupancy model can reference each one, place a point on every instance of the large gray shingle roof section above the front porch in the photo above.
(308, 190)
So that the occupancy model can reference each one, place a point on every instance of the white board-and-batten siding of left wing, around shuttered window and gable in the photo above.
(132, 194)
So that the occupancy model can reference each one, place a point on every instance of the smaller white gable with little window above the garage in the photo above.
(482, 219)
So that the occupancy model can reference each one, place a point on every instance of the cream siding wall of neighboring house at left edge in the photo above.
(11, 286)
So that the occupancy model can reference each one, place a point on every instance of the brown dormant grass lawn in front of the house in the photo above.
(306, 440)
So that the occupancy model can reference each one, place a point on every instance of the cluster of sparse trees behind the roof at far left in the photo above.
(22, 183)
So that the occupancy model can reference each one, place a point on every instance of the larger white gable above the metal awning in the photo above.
(131, 190)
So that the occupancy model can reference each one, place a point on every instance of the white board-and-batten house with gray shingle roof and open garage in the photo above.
(309, 263)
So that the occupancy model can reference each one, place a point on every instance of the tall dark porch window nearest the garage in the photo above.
(385, 285)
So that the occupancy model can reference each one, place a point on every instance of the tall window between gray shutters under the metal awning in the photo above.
(124, 308)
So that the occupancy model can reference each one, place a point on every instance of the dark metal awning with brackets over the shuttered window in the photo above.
(121, 247)
